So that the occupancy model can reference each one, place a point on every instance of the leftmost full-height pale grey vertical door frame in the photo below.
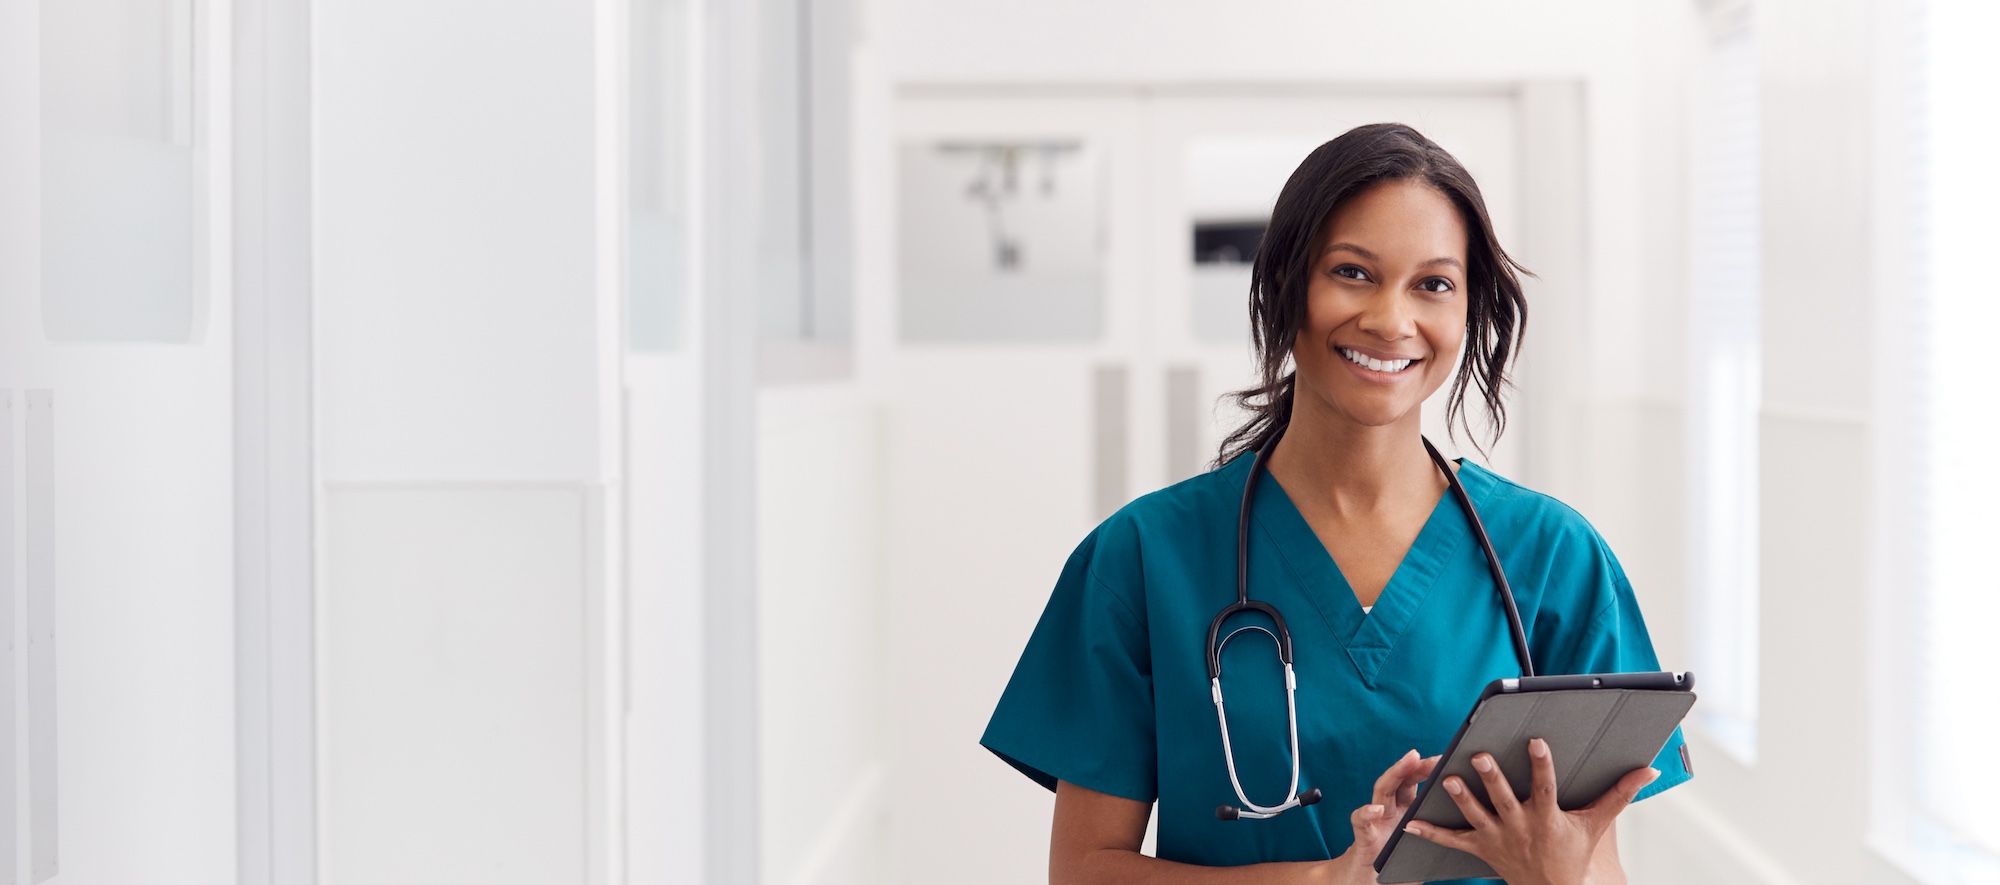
(271, 165)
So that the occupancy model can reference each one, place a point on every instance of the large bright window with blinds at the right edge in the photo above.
(1959, 590)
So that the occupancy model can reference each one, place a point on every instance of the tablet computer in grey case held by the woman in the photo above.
(1599, 728)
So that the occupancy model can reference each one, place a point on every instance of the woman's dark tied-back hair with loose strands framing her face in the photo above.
(1497, 313)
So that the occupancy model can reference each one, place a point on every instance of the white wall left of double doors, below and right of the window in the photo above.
(827, 754)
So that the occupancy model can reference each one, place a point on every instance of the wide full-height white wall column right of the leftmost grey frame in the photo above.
(469, 393)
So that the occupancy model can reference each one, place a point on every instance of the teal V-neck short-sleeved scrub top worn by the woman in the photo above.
(1113, 688)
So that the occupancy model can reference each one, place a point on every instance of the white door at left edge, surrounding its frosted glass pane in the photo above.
(143, 540)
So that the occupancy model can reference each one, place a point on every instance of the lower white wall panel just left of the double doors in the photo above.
(821, 634)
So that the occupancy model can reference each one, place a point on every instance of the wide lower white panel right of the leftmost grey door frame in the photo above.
(455, 684)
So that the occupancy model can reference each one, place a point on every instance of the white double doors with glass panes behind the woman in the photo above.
(1013, 433)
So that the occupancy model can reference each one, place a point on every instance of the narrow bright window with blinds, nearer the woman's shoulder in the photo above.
(1727, 379)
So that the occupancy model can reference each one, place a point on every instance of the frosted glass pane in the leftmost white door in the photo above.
(119, 211)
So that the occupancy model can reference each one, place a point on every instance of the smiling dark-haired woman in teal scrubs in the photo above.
(1377, 271)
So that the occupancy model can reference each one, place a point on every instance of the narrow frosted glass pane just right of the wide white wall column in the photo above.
(657, 271)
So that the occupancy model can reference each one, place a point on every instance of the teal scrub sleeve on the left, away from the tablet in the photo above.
(1079, 706)
